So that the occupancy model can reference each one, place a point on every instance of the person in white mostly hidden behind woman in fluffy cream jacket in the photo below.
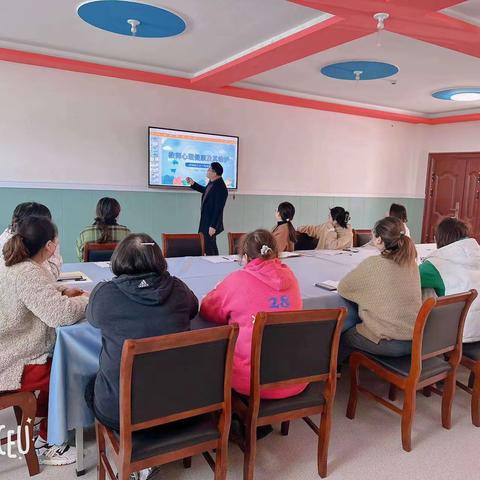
(24, 210)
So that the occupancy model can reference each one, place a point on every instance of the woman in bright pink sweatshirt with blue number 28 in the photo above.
(265, 284)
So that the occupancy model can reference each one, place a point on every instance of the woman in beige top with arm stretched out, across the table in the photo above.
(335, 234)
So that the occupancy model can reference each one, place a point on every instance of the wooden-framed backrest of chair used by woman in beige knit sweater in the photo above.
(439, 328)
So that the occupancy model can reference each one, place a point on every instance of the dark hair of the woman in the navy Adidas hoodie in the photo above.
(138, 253)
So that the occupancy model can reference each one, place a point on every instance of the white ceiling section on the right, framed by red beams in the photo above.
(424, 68)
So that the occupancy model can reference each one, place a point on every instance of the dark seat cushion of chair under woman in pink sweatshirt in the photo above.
(312, 396)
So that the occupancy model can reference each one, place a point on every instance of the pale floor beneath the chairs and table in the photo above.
(368, 447)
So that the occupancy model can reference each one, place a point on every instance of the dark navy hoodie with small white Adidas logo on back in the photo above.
(133, 306)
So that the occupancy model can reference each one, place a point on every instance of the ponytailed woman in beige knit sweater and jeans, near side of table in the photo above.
(386, 288)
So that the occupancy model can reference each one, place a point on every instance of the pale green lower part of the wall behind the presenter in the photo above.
(178, 212)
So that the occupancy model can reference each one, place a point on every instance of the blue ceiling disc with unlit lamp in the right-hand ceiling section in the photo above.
(359, 70)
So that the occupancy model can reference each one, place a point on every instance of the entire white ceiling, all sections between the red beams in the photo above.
(221, 29)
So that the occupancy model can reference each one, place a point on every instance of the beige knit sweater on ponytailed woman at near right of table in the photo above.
(388, 297)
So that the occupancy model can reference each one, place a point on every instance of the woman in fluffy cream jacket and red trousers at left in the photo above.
(32, 305)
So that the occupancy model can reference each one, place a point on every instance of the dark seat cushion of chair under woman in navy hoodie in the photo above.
(173, 436)
